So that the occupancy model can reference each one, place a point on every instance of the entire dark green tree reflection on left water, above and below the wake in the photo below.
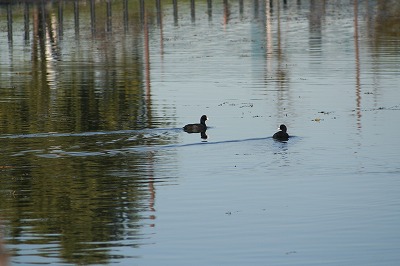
(71, 194)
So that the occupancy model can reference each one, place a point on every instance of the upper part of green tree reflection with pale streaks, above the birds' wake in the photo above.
(81, 85)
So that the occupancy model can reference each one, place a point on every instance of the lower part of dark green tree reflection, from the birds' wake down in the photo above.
(77, 197)
